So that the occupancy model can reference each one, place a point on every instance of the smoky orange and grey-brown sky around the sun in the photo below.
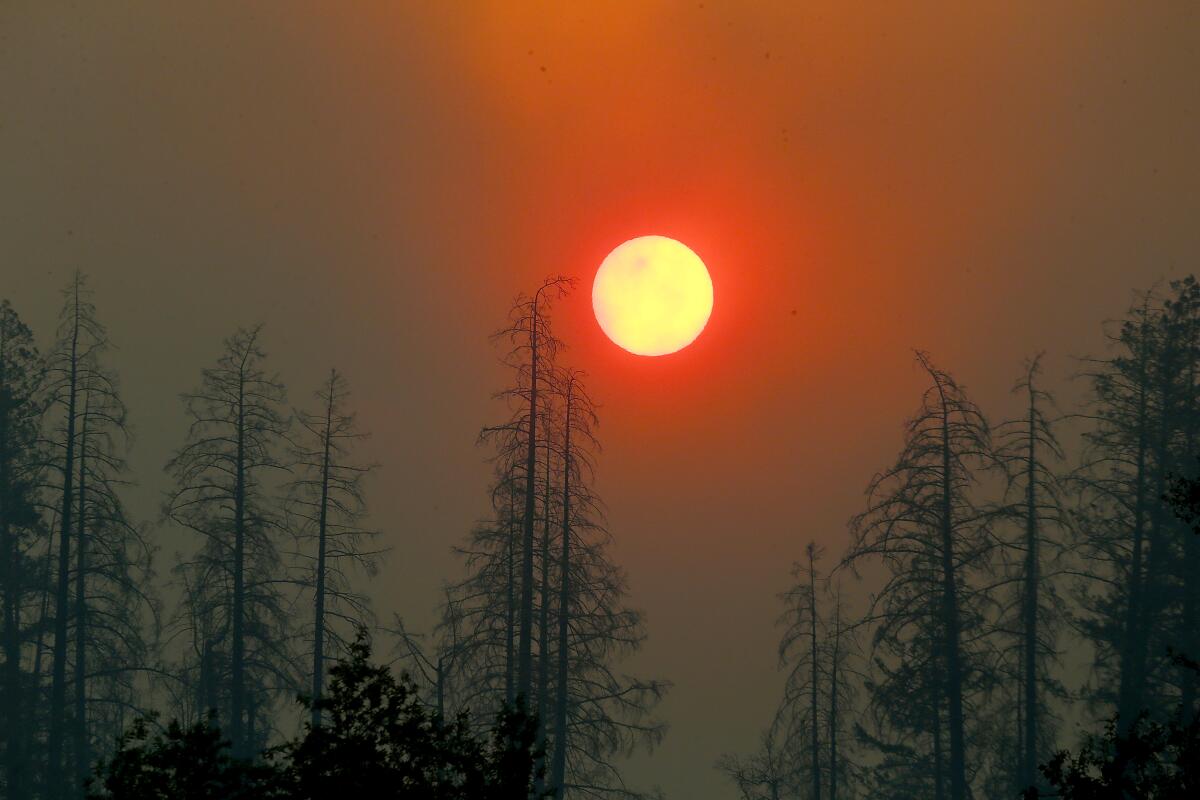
(375, 183)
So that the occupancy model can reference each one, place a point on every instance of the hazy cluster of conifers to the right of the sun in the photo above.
(1001, 562)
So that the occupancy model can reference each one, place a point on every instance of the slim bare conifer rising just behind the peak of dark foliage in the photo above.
(327, 504)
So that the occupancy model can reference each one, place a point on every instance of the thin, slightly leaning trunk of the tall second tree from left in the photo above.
(58, 683)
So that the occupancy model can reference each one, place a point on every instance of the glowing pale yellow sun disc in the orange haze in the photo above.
(652, 296)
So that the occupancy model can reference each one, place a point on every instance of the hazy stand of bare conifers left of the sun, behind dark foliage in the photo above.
(273, 588)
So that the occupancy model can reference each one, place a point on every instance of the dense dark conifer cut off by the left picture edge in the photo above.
(22, 542)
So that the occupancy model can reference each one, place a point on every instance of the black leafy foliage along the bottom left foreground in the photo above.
(379, 741)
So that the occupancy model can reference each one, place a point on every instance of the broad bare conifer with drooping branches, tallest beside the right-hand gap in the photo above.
(926, 525)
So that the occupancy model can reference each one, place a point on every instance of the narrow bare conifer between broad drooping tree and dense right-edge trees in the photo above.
(1031, 450)
